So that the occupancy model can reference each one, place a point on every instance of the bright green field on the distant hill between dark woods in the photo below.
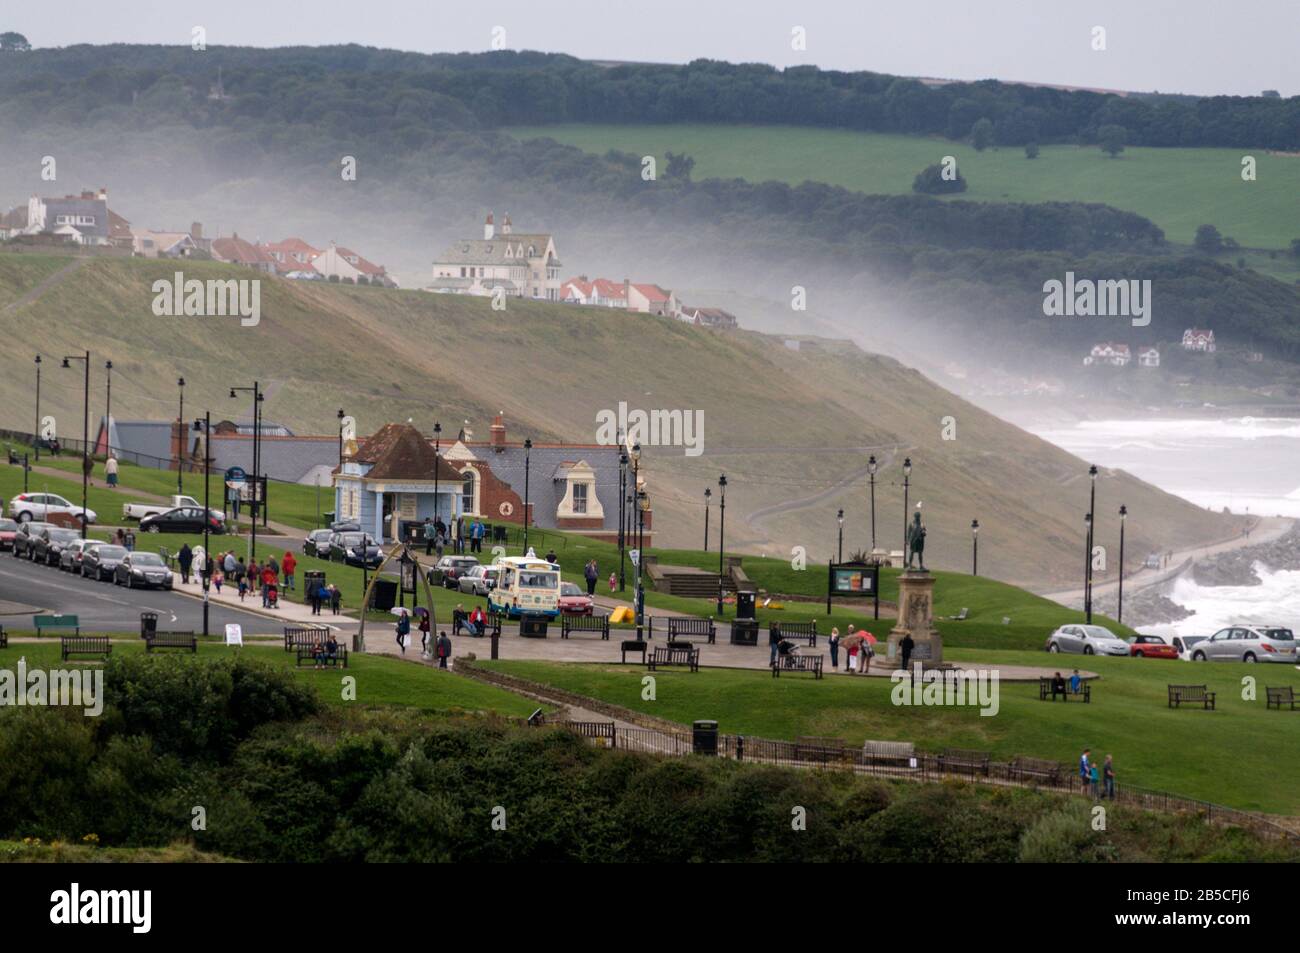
(1178, 189)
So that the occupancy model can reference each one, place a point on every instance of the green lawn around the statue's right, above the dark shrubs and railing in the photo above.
(1236, 756)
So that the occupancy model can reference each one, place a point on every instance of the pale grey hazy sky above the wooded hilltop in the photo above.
(1173, 46)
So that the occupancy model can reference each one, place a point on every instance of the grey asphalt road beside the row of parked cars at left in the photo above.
(106, 608)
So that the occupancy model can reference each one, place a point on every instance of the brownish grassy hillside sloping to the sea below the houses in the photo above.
(790, 430)
